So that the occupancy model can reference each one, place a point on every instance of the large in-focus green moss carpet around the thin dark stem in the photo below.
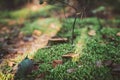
(94, 49)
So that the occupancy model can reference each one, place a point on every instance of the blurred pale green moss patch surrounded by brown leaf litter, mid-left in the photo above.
(43, 25)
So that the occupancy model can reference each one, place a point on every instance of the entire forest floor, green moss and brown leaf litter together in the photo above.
(35, 32)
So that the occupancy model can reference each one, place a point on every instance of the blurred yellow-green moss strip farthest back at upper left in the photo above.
(28, 13)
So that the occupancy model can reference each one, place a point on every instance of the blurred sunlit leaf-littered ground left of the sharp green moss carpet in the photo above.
(20, 36)
